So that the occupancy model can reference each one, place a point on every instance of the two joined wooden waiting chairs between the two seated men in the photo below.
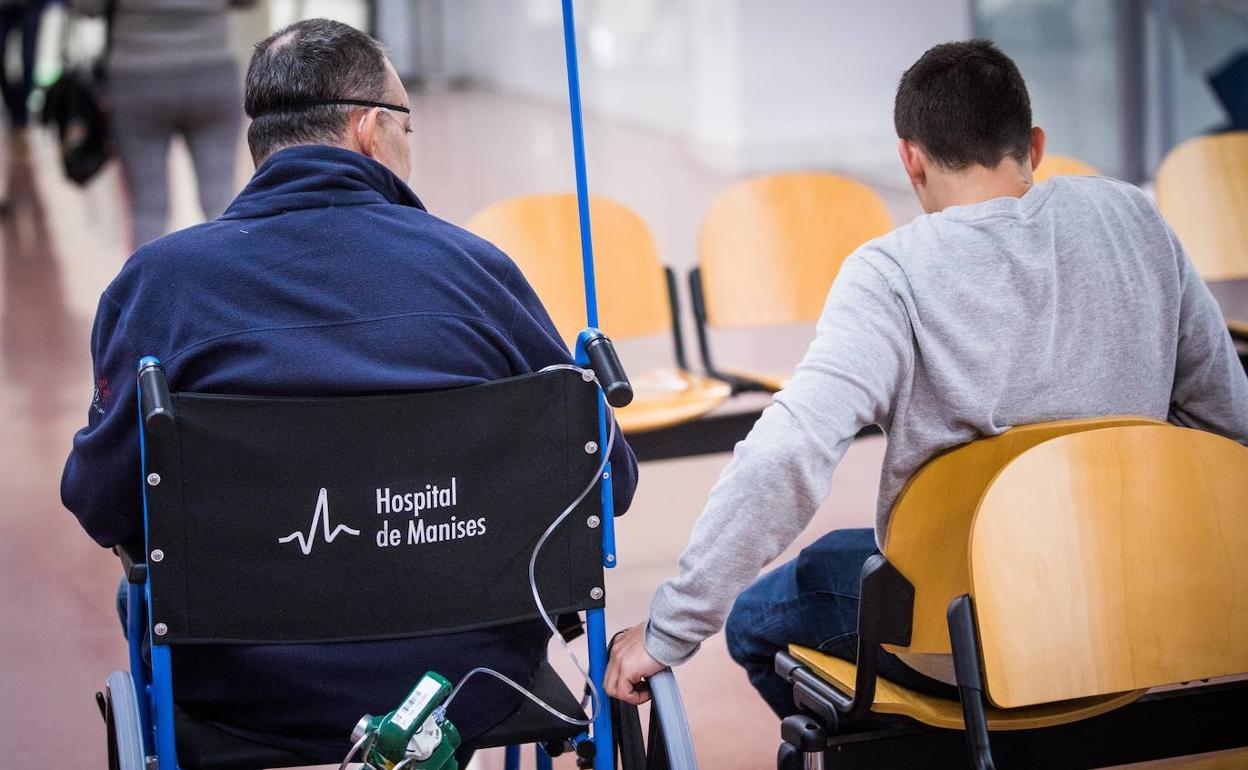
(771, 250)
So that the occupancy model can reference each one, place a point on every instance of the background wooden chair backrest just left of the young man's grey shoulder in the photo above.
(771, 248)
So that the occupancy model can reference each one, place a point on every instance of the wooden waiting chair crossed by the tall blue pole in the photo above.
(637, 295)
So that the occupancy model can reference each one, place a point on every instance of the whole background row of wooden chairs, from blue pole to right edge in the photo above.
(769, 251)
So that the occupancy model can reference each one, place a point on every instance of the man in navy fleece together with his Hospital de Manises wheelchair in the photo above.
(360, 464)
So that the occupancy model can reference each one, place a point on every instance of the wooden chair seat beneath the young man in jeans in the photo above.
(947, 713)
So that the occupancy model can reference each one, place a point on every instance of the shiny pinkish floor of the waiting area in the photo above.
(59, 636)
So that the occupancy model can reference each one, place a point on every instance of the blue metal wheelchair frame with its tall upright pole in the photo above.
(157, 697)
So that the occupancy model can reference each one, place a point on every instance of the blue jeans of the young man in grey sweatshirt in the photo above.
(812, 601)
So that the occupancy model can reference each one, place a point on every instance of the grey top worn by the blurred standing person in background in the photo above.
(155, 36)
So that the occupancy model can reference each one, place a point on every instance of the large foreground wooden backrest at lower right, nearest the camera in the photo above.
(1113, 561)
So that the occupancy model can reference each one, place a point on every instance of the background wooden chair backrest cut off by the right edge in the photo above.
(1202, 192)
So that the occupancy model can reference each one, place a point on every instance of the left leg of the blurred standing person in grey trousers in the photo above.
(143, 124)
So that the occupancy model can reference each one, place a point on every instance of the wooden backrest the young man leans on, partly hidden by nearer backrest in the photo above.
(932, 521)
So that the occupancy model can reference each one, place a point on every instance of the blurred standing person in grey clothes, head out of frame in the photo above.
(172, 73)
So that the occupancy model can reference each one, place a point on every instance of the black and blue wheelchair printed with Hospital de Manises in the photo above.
(516, 452)
